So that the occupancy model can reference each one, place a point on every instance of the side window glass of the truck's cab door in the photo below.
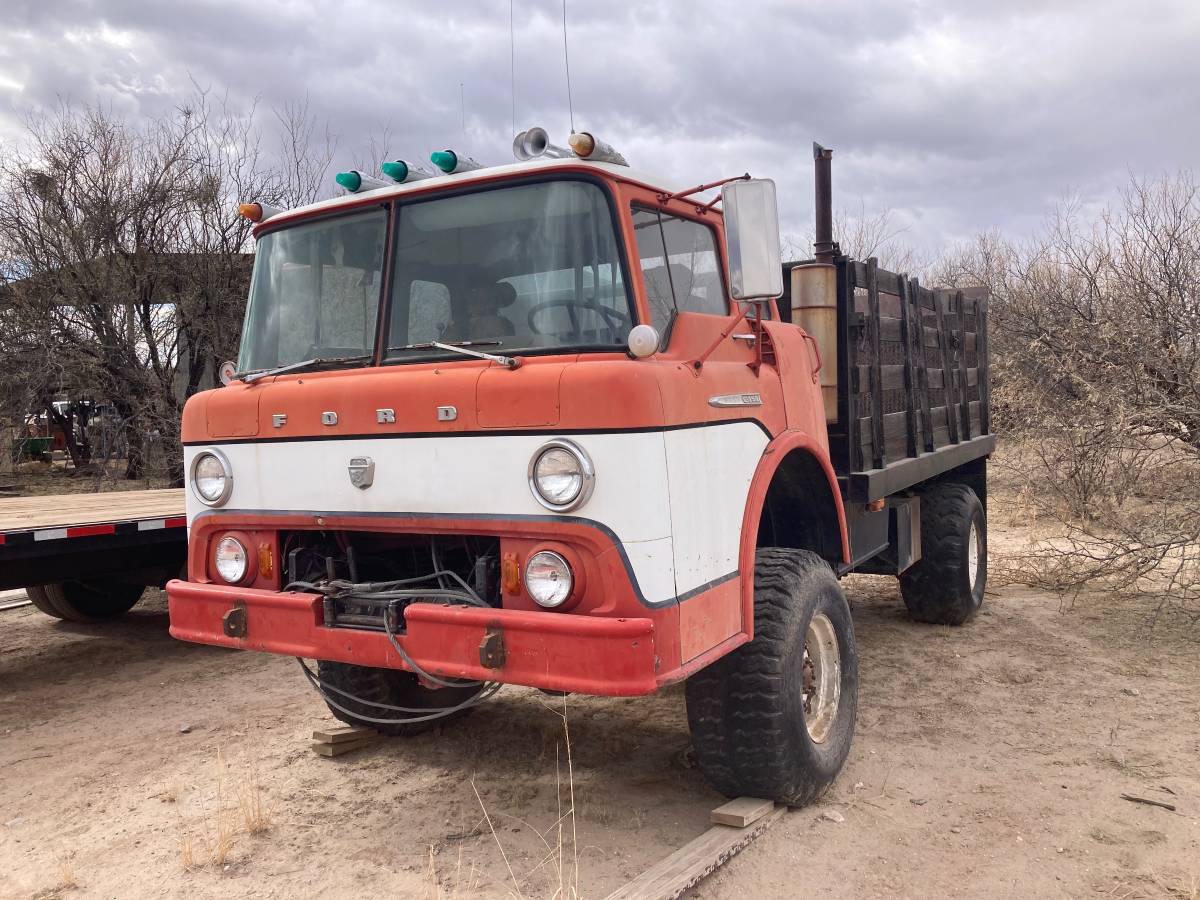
(680, 265)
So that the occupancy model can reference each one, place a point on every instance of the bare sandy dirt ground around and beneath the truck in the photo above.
(989, 761)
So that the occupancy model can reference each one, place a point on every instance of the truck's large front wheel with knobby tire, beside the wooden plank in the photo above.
(776, 718)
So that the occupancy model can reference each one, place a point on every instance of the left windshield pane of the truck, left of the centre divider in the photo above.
(315, 292)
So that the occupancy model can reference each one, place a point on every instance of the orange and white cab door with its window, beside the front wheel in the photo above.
(721, 406)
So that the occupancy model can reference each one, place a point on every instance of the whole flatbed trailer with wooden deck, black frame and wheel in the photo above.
(89, 557)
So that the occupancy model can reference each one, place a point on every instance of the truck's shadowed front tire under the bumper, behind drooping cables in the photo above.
(393, 687)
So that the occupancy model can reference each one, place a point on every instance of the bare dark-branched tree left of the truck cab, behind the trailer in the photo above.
(128, 265)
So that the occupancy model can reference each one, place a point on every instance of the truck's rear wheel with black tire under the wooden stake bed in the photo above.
(946, 586)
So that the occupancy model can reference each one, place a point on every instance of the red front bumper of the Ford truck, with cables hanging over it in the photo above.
(589, 655)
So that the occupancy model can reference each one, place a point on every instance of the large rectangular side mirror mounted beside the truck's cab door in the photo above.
(752, 239)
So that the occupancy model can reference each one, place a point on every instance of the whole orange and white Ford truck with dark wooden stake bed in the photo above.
(561, 424)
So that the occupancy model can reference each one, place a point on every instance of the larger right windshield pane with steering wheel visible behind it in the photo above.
(517, 269)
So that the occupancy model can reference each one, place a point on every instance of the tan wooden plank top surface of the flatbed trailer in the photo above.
(82, 509)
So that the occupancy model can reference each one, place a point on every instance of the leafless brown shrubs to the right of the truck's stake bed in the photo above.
(1096, 346)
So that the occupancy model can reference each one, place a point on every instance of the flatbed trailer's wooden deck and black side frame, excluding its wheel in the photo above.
(61, 537)
